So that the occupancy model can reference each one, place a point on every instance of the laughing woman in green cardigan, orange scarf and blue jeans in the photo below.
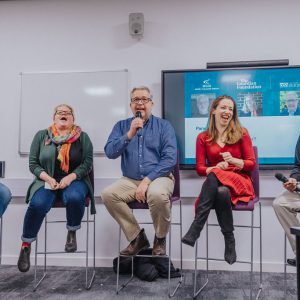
(61, 158)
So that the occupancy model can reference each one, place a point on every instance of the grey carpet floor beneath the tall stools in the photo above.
(68, 283)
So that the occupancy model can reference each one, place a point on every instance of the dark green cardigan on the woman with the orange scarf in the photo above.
(40, 151)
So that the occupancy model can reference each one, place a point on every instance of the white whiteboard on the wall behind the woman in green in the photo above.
(99, 99)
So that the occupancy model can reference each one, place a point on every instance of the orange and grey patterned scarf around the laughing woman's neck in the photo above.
(64, 144)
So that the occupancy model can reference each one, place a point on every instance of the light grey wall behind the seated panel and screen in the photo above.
(65, 35)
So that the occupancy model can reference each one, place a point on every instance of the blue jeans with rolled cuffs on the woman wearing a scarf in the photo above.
(42, 201)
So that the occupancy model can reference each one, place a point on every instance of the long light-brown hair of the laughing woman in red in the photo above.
(234, 131)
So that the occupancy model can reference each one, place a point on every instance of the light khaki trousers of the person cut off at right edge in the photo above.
(286, 207)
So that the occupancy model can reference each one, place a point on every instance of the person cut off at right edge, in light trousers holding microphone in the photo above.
(287, 205)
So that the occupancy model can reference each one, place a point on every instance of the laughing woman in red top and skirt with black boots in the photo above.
(224, 154)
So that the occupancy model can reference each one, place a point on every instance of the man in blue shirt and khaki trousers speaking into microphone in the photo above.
(148, 150)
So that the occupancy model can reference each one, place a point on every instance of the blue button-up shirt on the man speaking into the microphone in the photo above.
(151, 153)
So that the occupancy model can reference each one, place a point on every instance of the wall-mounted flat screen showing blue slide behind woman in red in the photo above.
(268, 103)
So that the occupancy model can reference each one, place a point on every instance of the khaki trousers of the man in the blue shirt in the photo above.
(117, 195)
